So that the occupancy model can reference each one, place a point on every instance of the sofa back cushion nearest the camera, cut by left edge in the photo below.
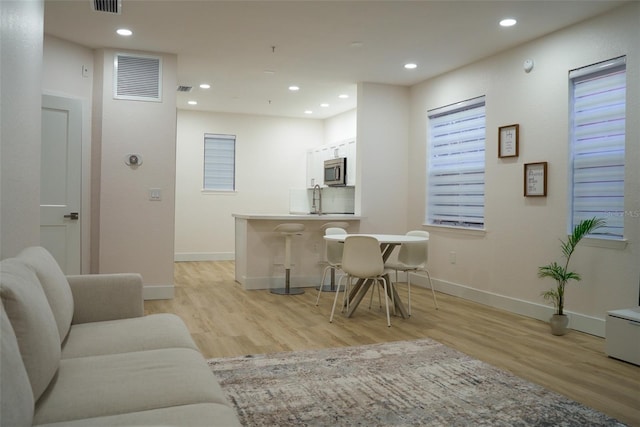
(16, 397)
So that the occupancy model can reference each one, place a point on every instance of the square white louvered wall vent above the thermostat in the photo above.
(137, 78)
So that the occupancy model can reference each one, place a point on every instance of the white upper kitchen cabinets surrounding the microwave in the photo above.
(317, 156)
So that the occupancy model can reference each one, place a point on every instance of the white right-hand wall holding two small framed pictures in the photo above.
(499, 267)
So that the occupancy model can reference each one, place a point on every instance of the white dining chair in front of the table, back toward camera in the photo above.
(361, 259)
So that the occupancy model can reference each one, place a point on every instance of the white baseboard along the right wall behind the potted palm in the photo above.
(579, 322)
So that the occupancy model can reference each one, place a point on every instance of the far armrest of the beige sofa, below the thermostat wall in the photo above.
(99, 297)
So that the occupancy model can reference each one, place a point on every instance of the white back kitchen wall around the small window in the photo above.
(270, 160)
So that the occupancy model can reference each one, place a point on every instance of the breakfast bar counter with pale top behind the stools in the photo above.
(259, 257)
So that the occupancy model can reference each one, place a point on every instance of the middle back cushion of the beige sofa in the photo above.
(32, 321)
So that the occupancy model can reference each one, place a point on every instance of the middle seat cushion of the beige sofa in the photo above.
(100, 386)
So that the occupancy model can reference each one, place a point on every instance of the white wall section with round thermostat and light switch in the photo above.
(137, 234)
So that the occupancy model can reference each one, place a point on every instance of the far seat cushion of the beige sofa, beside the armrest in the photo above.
(151, 332)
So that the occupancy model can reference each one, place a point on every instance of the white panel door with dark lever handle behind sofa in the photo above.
(60, 180)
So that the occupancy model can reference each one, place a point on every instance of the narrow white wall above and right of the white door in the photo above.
(62, 76)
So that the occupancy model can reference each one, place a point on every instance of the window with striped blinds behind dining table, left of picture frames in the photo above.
(456, 164)
